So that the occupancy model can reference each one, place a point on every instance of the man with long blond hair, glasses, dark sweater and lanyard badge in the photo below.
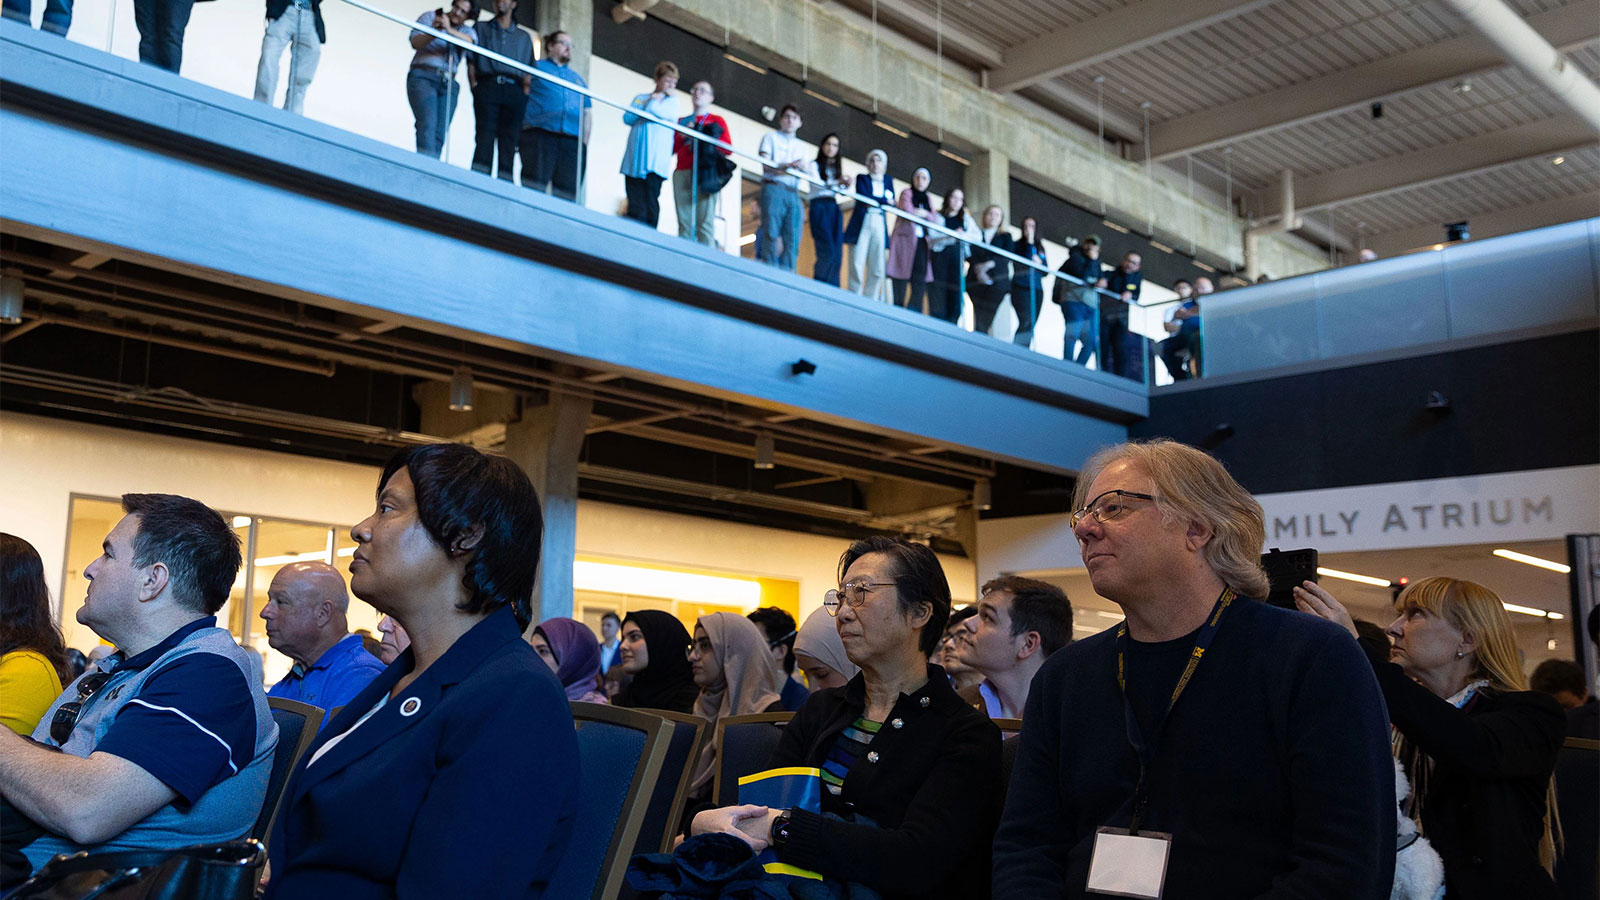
(1212, 745)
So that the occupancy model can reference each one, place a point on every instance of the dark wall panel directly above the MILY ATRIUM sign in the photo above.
(1519, 406)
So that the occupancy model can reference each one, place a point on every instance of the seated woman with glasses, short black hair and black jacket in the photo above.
(911, 776)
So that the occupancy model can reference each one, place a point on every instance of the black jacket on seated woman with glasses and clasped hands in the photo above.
(932, 790)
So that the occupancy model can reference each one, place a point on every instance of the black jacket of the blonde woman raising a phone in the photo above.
(1484, 805)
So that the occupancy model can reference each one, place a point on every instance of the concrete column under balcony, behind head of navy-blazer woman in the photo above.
(546, 444)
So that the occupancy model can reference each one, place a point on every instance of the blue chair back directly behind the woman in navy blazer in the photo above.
(622, 753)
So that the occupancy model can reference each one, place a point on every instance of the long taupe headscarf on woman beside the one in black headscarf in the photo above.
(751, 681)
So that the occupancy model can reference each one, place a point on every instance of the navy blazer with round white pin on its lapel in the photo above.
(465, 785)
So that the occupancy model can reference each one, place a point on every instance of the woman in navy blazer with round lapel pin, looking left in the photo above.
(455, 773)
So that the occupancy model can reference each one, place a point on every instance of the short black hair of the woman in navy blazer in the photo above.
(458, 489)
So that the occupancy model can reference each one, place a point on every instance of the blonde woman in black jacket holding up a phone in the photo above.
(1478, 745)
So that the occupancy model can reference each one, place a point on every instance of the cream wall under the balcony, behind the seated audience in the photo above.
(50, 460)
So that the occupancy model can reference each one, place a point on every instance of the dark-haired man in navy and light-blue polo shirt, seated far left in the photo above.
(169, 742)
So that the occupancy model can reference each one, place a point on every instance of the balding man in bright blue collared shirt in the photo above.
(306, 622)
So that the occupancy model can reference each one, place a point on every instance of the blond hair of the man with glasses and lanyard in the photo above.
(1194, 488)
